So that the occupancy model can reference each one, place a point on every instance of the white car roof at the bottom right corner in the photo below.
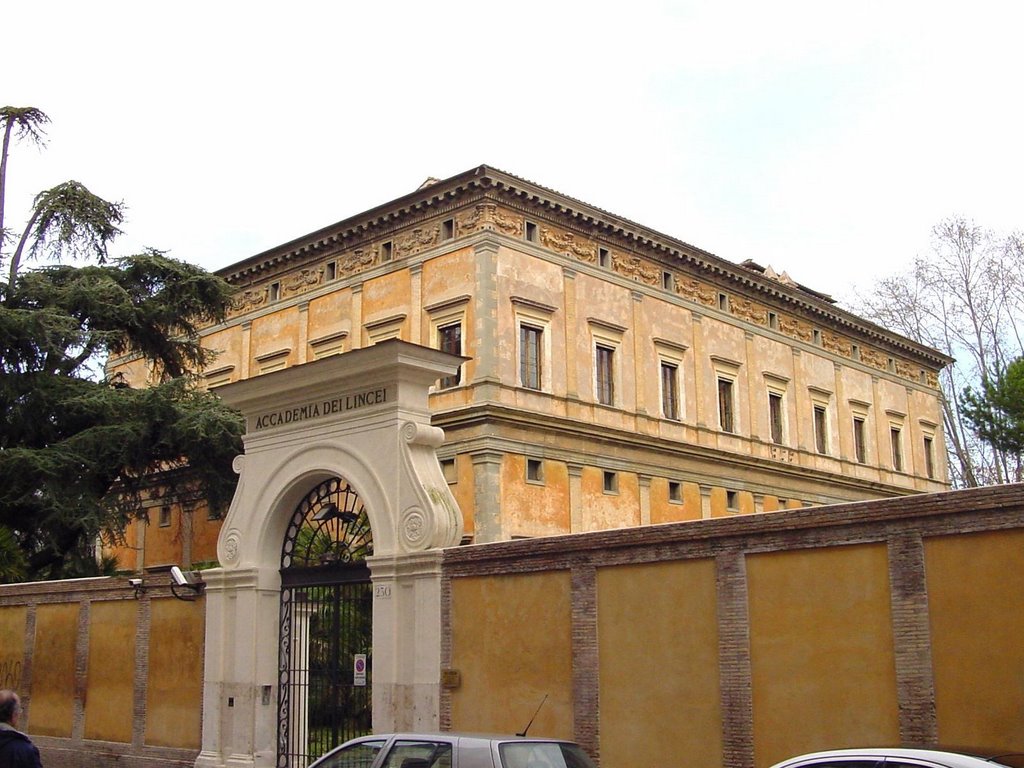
(906, 758)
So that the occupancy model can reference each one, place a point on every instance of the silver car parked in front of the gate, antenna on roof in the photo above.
(454, 751)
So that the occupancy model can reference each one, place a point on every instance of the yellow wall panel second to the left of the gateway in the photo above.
(110, 681)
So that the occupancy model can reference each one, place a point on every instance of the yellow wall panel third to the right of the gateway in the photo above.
(821, 632)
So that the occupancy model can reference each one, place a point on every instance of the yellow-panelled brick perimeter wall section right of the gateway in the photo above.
(739, 643)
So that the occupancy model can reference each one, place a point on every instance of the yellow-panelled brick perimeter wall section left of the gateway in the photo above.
(106, 677)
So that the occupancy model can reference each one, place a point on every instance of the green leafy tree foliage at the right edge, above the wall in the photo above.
(997, 411)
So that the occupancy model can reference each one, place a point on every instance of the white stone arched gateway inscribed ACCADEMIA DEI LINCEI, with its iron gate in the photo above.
(335, 449)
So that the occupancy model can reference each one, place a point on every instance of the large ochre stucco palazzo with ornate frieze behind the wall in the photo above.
(616, 376)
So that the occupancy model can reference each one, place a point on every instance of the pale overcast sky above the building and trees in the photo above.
(821, 139)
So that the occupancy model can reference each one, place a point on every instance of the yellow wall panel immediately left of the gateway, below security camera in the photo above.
(175, 691)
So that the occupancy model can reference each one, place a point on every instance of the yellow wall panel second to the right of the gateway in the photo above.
(660, 695)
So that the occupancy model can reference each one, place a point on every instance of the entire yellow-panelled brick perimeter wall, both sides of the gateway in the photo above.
(735, 643)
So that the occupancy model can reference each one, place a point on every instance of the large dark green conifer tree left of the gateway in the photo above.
(80, 451)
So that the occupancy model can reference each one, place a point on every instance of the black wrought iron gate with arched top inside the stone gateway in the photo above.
(326, 625)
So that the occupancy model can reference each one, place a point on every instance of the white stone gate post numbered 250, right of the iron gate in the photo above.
(407, 642)
